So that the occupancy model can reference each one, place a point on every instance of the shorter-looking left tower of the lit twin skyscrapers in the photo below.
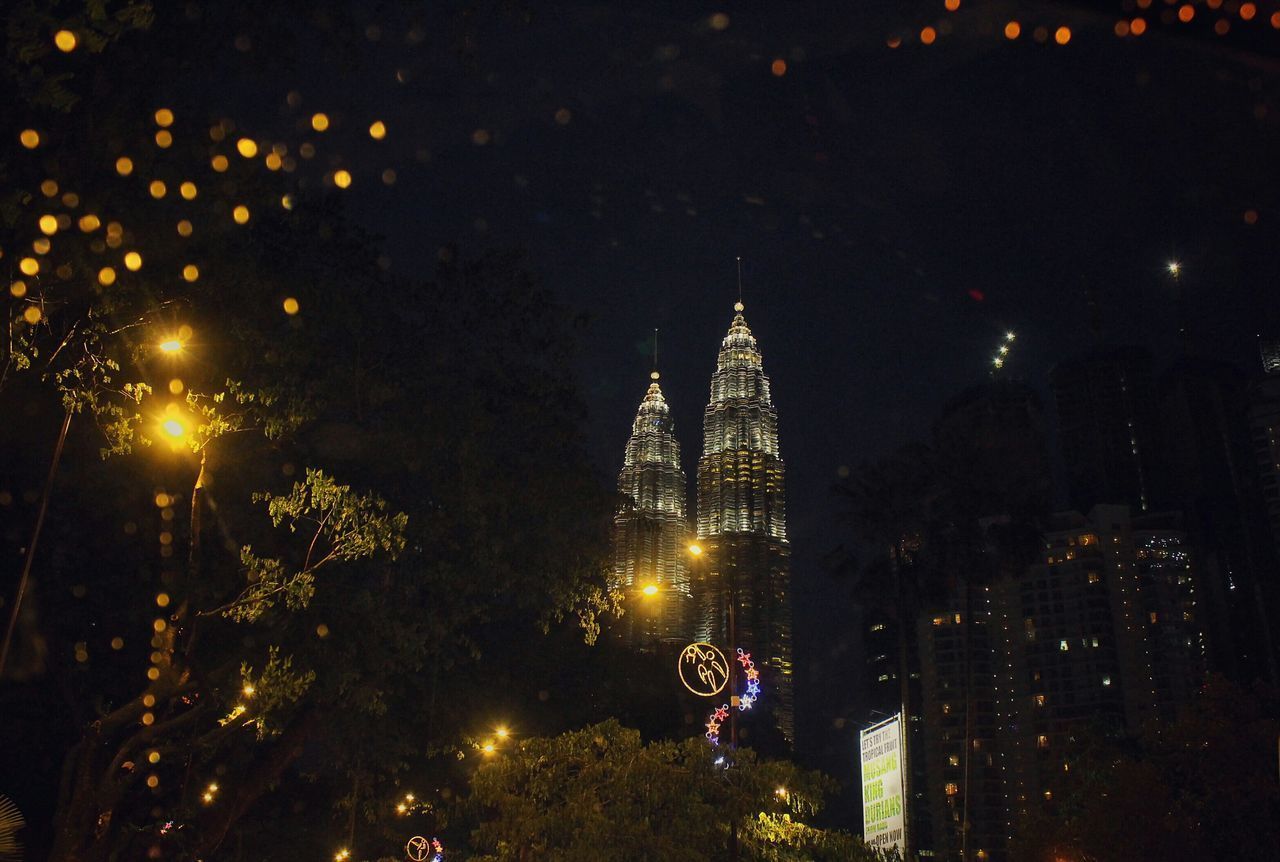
(651, 532)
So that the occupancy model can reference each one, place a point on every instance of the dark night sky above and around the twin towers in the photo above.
(898, 209)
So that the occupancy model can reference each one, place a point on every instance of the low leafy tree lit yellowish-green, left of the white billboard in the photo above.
(601, 795)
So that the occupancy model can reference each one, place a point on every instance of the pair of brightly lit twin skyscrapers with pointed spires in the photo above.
(679, 582)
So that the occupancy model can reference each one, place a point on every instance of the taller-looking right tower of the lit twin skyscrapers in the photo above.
(742, 519)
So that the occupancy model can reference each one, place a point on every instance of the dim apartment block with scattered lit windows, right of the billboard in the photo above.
(1020, 671)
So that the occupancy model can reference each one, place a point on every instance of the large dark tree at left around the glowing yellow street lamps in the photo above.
(328, 651)
